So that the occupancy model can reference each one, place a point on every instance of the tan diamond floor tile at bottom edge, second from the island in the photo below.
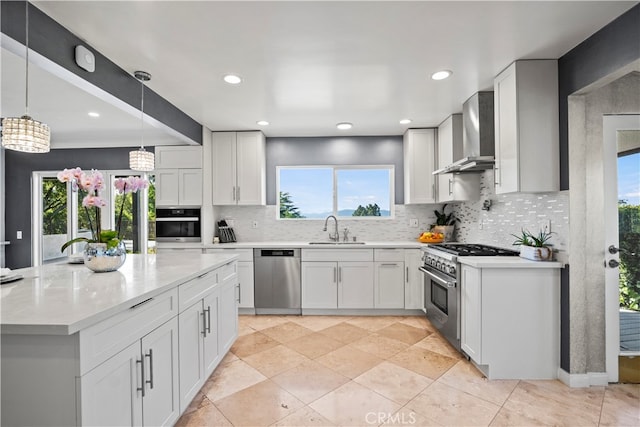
(259, 405)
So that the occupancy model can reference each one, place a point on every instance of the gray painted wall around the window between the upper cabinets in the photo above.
(351, 150)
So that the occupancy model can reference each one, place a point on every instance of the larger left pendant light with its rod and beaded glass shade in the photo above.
(24, 133)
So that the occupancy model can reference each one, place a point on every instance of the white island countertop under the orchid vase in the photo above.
(61, 299)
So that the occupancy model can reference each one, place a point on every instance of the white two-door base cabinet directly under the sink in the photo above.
(329, 284)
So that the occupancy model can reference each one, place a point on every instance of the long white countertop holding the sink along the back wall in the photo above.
(404, 244)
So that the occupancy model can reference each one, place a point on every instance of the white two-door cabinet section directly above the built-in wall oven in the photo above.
(178, 187)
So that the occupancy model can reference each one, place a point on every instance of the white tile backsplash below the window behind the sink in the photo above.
(271, 229)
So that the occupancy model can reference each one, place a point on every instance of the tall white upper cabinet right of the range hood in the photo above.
(526, 127)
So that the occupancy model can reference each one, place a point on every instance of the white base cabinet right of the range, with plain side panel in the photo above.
(510, 321)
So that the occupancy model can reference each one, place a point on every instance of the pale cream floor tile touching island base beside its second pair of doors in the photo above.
(230, 378)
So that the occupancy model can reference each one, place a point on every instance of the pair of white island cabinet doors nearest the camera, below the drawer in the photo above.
(137, 385)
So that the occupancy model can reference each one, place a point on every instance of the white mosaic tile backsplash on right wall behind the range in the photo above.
(509, 213)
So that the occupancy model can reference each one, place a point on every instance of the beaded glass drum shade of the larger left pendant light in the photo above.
(25, 134)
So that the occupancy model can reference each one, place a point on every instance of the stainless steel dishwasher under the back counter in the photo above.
(277, 281)
